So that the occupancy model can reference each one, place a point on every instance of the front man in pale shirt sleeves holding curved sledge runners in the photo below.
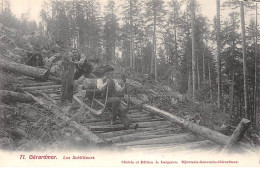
(113, 91)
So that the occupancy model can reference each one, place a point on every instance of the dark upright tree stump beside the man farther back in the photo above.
(67, 80)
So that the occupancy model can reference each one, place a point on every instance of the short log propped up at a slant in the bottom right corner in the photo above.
(236, 136)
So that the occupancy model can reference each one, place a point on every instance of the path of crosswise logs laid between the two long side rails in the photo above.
(153, 134)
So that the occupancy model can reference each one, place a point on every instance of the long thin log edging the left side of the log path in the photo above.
(57, 111)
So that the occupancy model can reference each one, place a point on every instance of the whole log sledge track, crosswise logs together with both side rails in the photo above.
(158, 130)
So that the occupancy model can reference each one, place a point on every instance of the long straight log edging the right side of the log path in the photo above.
(194, 128)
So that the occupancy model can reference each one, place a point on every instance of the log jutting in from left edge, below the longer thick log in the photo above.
(11, 96)
